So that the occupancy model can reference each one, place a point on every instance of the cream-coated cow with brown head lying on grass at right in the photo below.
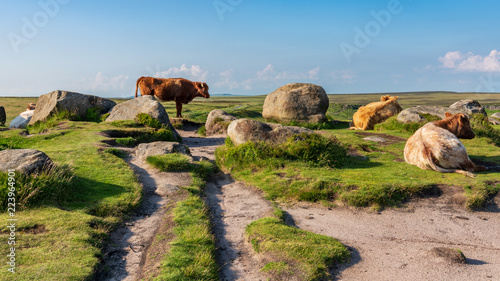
(436, 146)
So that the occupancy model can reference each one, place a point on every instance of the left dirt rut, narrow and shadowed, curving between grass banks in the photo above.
(126, 253)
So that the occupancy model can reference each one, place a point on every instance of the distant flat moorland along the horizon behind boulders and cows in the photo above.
(198, 108)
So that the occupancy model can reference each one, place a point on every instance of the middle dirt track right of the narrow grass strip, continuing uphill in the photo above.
(233, 206)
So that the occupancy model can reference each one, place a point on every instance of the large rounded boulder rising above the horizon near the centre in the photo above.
(300, 102)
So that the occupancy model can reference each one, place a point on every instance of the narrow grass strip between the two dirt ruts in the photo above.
(192, 253)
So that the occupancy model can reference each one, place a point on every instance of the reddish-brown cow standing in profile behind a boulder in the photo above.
(180, 90)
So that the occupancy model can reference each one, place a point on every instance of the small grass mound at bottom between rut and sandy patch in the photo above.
(294, 253)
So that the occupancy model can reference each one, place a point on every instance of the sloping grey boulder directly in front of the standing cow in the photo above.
(145, 104)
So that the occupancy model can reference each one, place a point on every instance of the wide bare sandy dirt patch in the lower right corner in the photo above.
(397, 244)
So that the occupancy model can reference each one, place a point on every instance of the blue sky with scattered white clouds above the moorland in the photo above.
(249, 47)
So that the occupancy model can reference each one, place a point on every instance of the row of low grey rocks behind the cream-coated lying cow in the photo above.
(414, 114)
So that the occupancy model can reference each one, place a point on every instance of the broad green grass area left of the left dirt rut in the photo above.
(81, 212)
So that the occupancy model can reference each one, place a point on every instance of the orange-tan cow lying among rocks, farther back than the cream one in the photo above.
(376, 112)
